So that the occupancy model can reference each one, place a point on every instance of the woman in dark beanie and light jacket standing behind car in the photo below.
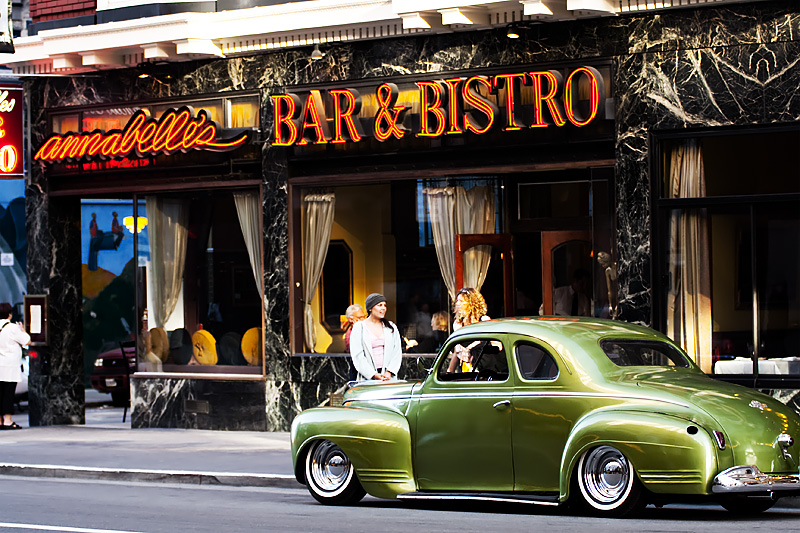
(375, 343)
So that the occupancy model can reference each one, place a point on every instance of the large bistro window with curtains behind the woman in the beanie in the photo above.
(381, 226)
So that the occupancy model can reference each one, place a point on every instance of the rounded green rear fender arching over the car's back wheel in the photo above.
(669, 454)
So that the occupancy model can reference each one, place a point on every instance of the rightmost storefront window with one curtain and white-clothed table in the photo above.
(732, 291)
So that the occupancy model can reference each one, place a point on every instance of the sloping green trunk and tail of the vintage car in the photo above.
(750, 421)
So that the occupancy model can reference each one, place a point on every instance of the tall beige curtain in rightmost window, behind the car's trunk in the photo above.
(689, 298)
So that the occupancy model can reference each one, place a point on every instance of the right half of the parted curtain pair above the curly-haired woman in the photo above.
(475, 214)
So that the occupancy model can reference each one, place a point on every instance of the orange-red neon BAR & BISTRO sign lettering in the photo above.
(446, 107)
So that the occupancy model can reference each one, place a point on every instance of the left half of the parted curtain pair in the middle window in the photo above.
(442, 204)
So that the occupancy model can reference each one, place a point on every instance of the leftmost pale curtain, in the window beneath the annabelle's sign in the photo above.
(167, 235)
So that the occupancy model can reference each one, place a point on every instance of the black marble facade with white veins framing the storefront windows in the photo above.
(702, 67)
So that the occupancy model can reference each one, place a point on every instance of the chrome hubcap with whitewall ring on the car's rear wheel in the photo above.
(606, 474)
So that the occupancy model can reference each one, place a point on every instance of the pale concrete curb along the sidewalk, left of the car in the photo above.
(233, 479)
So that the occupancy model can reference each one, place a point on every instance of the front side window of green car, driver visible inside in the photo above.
(474, 360)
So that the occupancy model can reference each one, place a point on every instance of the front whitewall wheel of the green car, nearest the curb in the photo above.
(330, 476)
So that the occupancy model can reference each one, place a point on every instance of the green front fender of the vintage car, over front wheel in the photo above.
(378, 443)
